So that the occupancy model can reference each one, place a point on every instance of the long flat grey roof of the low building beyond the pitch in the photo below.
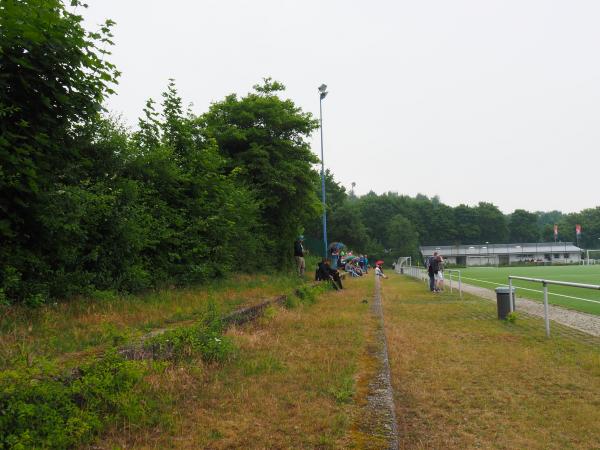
(500, 249)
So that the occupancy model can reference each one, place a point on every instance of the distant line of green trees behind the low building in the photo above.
(395, 225)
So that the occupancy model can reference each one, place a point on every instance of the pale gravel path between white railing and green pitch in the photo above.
(587, 323)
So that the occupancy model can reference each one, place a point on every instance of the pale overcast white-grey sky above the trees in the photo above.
(470, 100)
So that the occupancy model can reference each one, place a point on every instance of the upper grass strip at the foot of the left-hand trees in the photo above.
(85, 326)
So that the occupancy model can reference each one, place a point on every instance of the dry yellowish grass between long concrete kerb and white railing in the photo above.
(464, 379)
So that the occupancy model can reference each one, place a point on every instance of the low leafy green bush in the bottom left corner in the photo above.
(42, 409)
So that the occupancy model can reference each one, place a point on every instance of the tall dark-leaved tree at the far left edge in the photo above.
(53, 79)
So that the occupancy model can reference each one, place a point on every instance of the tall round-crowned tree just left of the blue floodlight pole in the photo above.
(263, 138)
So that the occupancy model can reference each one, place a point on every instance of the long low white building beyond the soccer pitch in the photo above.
(504, 254)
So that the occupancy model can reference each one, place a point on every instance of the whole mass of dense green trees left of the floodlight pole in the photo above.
(88, 205)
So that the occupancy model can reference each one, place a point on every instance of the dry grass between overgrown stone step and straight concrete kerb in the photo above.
(292, 384)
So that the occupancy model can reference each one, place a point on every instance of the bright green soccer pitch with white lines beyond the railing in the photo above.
(585, 300)
